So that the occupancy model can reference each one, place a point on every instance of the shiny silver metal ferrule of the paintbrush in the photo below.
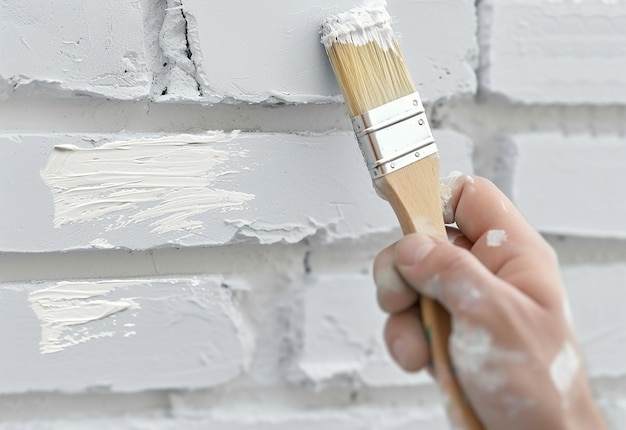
(394, 135)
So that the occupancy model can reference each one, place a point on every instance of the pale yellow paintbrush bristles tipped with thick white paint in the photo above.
(366, 59)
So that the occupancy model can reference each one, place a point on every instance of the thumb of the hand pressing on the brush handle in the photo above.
(445, 272)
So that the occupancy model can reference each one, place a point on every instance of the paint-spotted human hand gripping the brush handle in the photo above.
(512, 344)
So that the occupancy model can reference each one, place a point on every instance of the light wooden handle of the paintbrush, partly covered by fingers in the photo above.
(414, 194)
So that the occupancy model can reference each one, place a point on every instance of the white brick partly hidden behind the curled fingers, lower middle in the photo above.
(341, 334)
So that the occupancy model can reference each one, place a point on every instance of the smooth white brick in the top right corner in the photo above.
(563, 51)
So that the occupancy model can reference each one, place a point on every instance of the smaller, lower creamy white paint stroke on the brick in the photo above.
(65, 311)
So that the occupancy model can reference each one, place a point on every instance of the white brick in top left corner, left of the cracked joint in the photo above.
(96, 48)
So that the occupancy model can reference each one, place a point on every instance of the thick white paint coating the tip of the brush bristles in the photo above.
(359, 26)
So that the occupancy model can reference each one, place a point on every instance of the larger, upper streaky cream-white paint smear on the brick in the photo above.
(166, 181)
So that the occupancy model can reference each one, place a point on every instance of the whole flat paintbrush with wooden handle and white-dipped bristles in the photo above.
(395, 139)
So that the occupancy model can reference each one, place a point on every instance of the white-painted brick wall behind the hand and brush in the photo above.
(187, 226)
